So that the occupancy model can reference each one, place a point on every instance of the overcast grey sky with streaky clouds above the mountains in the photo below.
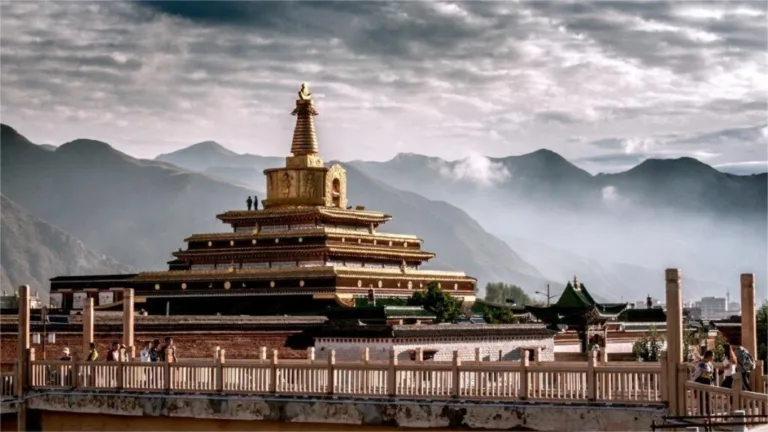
(605, 84)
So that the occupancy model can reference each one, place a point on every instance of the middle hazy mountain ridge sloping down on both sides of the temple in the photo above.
(140, 210)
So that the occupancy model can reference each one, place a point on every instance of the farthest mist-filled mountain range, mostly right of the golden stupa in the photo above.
(618, 231)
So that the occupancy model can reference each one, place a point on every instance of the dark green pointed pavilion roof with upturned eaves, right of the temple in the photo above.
(575, 306)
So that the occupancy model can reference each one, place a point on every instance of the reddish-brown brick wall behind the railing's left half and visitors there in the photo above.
(239, 345)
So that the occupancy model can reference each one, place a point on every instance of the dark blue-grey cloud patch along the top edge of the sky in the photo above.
(399, 29)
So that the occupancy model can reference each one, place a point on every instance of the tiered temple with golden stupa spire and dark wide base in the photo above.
(305, 251)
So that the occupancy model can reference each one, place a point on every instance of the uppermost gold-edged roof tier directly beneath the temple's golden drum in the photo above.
(273, 213)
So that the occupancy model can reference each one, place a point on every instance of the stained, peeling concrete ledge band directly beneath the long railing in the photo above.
(394, 412)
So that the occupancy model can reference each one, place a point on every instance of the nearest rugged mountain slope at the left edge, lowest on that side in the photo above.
(33, 251)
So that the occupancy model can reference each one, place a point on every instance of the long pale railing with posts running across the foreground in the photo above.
(518, 380)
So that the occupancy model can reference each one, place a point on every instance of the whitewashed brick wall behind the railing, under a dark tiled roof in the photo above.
(350, 349)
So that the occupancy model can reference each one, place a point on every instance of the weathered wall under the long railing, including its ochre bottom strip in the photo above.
(123, 412)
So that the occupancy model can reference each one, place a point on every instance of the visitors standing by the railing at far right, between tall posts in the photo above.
(737, 360)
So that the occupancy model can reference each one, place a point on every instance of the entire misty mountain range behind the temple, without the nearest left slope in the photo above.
(533, 220)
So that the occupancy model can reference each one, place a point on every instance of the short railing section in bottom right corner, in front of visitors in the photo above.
(718, 402)
